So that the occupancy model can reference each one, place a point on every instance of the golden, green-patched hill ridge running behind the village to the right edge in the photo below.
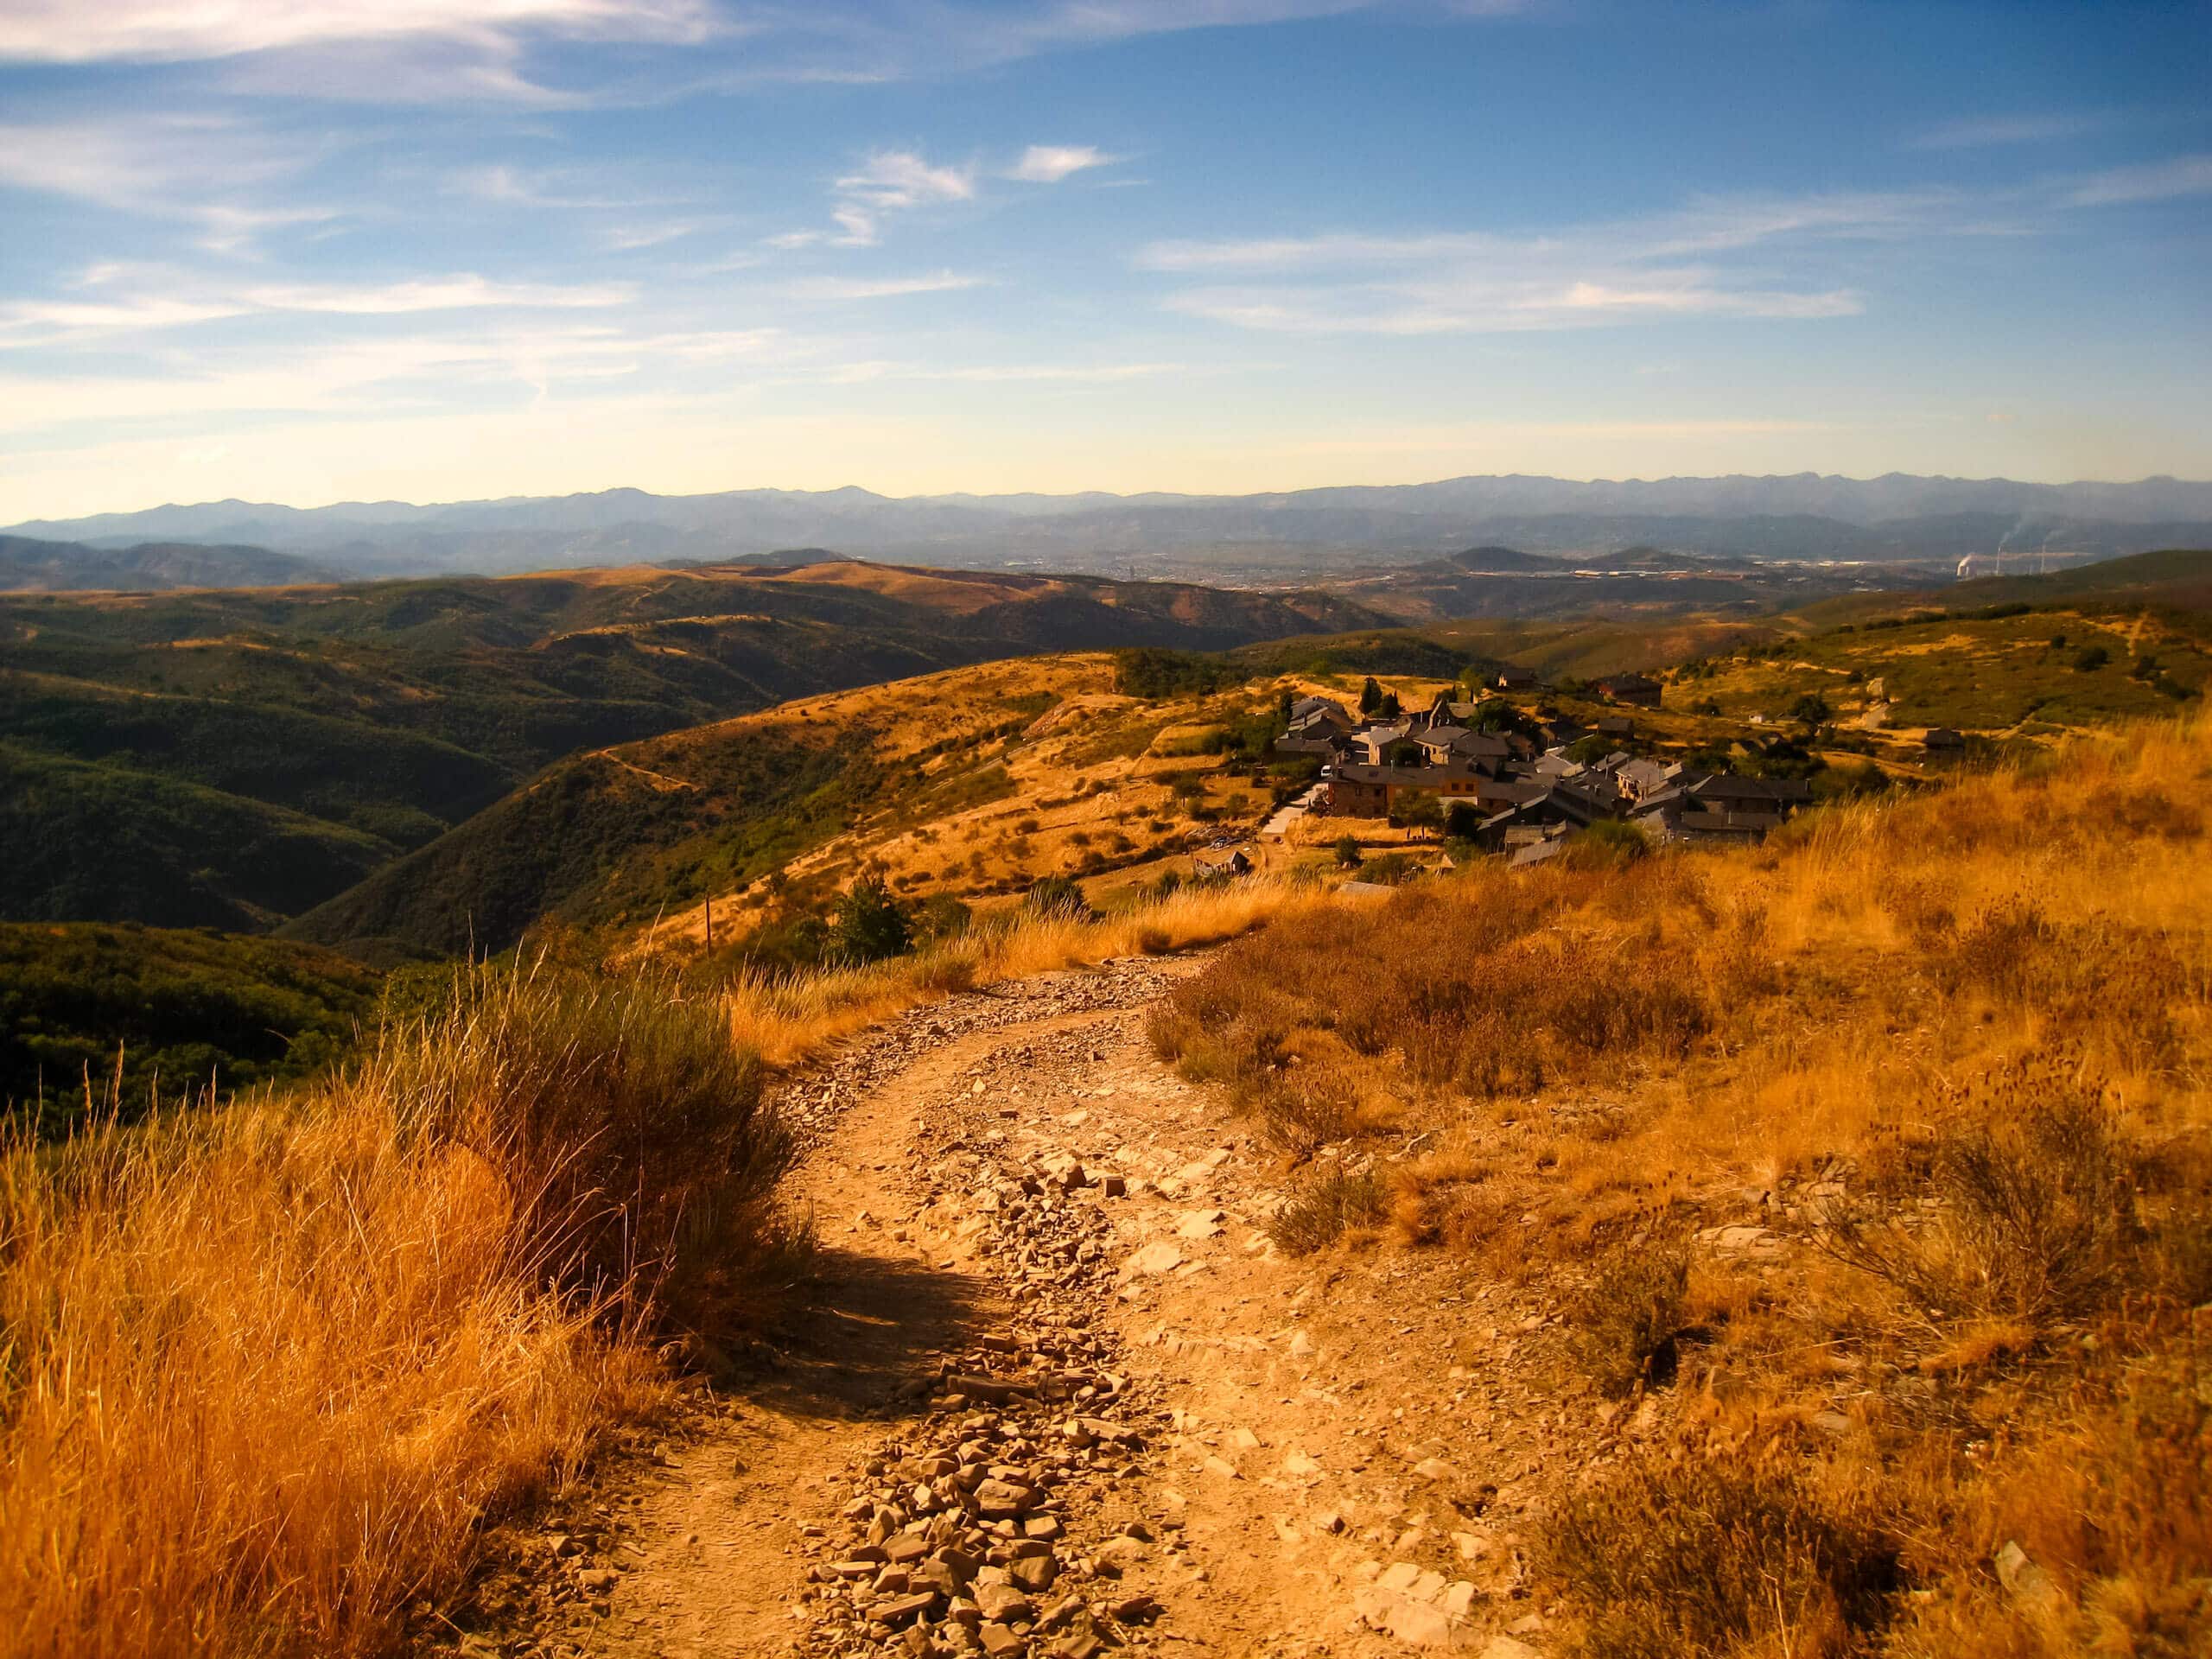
(972, 784)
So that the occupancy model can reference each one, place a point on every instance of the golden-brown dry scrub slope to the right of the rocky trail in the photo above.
(1950, 1061)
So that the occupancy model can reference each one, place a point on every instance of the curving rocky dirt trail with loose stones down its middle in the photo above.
(1054, 1392)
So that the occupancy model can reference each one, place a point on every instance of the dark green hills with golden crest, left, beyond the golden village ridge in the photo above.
(233, 758)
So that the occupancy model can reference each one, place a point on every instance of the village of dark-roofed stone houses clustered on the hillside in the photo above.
(1525, 795)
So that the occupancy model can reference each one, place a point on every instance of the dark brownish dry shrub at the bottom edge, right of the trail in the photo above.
(1715, 1556)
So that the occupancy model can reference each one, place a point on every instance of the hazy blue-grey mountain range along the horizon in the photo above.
(1802, 517)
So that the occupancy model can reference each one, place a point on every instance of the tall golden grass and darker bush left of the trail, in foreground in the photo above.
(269, 1366)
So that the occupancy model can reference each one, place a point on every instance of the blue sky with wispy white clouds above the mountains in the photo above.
(313, 251)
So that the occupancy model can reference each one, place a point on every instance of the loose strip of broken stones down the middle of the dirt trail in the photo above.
(985, 1527)
